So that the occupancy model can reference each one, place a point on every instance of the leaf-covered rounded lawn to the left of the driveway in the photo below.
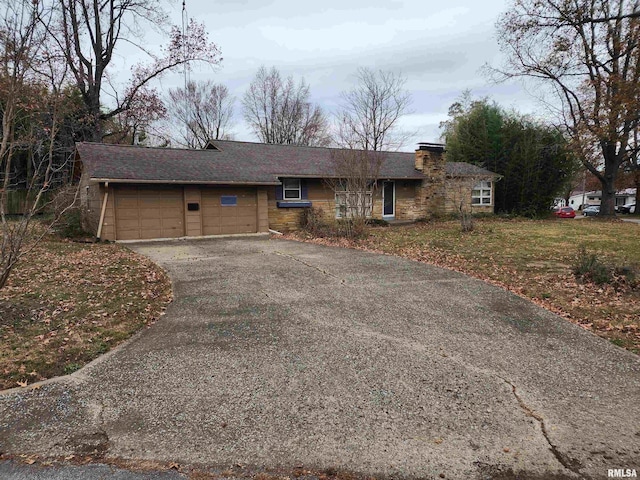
(67, 303)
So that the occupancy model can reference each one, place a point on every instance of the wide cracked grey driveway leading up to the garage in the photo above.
(280, 354)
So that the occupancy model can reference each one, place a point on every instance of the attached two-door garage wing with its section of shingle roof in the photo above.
(142, 193)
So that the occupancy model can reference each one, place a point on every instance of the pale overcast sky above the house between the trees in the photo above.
(439, 47)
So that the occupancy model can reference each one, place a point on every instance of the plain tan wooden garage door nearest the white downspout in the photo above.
(148, 212)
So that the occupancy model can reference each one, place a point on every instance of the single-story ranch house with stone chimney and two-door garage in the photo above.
(132, 192)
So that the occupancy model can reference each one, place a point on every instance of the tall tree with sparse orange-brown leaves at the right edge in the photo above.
(588, 52)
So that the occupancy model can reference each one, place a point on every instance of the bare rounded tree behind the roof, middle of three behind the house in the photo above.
(279, 111)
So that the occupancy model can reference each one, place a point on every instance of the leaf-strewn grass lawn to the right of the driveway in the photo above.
(534, 259)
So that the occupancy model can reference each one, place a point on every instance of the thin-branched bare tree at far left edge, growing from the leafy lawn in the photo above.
(23, 65)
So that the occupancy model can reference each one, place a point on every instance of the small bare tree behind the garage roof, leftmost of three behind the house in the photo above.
(205, 109)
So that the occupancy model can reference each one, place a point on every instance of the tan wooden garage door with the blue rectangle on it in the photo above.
(229, 210)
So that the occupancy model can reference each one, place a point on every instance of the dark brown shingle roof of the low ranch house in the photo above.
(233, 162)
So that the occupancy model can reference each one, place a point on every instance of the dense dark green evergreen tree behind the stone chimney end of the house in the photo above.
(532, 158)
